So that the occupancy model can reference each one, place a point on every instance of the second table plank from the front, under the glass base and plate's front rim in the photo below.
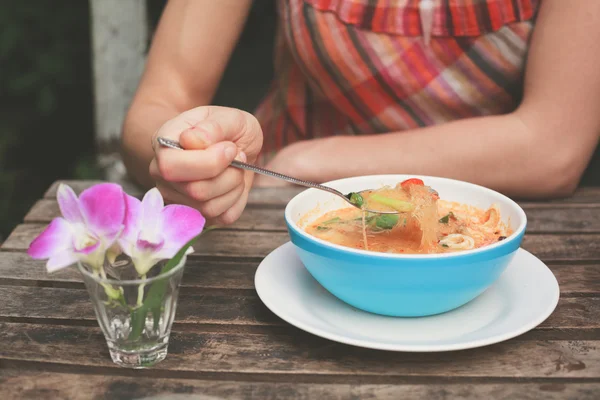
(307, 354)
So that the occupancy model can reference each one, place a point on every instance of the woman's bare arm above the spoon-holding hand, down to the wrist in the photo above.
(191, 47)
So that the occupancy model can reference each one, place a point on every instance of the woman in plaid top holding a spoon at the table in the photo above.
(502, 93)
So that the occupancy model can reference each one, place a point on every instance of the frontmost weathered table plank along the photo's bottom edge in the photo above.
(33, 384)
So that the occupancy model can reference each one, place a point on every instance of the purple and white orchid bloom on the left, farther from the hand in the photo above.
(90, 226)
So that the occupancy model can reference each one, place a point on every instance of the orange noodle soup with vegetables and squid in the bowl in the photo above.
(424, 223)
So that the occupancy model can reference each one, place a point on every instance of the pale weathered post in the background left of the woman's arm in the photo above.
(119, 31)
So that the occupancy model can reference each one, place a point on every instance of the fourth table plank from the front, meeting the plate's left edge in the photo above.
(18, 267)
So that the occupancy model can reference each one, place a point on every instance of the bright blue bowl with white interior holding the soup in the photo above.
(403, 285)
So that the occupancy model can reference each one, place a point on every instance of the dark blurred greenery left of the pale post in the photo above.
(46, 117)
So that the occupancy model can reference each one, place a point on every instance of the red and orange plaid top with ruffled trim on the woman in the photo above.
(349, 67)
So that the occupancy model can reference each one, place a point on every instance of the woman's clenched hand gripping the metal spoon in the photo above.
(200, 176)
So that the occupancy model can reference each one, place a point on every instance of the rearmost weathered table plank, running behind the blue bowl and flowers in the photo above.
(280, 196)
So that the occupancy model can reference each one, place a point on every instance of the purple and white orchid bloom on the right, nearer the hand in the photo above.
(154, 232)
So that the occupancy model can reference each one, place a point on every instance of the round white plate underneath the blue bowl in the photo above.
(522, 298)
